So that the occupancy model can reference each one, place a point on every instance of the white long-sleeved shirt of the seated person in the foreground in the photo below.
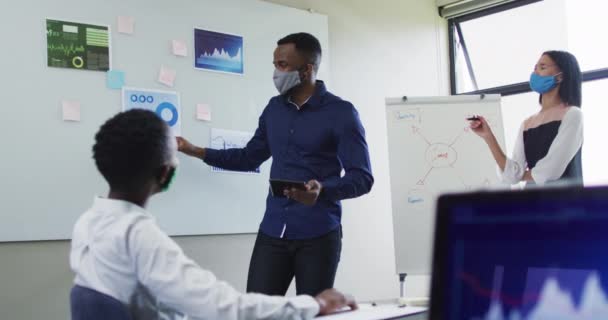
(117, 245)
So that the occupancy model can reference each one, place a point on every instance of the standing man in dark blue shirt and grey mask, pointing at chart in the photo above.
(312, 135)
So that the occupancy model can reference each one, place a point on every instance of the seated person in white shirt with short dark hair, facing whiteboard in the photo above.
(117, 248)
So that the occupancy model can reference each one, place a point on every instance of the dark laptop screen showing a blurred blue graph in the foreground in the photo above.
(528, 255)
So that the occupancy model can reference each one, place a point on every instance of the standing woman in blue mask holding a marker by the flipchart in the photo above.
(549, 143)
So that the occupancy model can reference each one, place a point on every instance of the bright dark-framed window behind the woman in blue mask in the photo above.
(494, 51)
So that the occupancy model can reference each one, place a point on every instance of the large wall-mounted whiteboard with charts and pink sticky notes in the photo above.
(49, 177)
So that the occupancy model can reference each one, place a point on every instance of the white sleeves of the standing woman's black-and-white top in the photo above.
(564, 147)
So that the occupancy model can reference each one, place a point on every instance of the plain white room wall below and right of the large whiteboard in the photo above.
(378, 49)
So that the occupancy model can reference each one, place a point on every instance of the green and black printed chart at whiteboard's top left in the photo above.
(76, 45)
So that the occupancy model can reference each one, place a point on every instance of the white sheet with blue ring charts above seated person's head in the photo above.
(164, 103)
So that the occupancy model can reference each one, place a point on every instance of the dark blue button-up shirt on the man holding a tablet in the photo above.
(316, 141)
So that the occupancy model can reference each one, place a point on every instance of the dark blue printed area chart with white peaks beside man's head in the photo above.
(218, 51)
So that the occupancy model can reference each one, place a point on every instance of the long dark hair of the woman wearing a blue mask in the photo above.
(570, 87)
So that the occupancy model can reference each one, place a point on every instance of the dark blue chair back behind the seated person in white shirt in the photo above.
(88, 304)
